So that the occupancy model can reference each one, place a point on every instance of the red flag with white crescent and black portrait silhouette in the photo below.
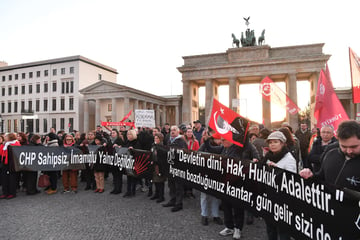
(228, 124)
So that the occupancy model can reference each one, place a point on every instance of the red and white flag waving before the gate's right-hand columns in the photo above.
(272, 93)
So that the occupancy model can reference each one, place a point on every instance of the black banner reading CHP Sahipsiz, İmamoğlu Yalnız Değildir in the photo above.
(137, 163)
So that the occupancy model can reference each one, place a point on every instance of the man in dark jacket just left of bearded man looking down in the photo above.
(319, 145)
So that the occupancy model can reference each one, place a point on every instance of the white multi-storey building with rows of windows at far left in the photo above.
(39, 95)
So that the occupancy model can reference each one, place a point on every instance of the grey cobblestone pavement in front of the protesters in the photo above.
(89, 215)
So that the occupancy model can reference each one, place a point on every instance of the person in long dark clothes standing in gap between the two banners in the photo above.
(160, 162)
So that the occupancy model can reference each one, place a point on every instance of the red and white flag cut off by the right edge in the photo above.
(355, 75)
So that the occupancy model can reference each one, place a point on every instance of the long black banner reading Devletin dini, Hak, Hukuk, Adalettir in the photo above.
(307, 209)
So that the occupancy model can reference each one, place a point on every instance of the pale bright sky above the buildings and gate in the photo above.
(146, 40)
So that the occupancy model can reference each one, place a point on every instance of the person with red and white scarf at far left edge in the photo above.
(8, 174)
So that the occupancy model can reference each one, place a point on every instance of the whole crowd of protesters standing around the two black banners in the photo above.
(317, 153)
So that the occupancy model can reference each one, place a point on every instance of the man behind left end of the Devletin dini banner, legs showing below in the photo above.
(176, 187)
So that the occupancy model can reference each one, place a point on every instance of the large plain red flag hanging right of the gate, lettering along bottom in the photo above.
(328, 108)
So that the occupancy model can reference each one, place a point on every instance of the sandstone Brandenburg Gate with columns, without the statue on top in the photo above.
(250, 65)
